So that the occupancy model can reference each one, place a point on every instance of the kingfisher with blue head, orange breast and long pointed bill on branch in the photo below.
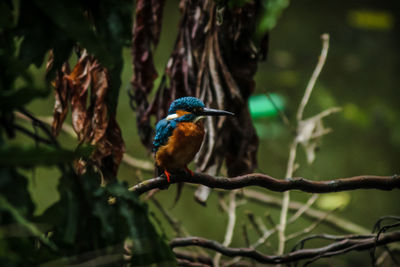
(179, 136)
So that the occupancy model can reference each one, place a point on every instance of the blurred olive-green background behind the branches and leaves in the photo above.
(361, 76)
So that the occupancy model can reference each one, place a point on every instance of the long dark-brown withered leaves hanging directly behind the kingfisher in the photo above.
(215, 60)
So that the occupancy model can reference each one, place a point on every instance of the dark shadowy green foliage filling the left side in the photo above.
(84, 224)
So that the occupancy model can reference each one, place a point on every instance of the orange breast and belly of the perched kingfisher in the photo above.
(181, 147)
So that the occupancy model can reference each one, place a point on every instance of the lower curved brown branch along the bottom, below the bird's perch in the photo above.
(339, 247)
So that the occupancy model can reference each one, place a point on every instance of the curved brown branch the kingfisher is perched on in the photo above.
(273, 184)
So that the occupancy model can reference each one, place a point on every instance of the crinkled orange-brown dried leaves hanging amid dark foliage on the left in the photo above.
(92, 122)
